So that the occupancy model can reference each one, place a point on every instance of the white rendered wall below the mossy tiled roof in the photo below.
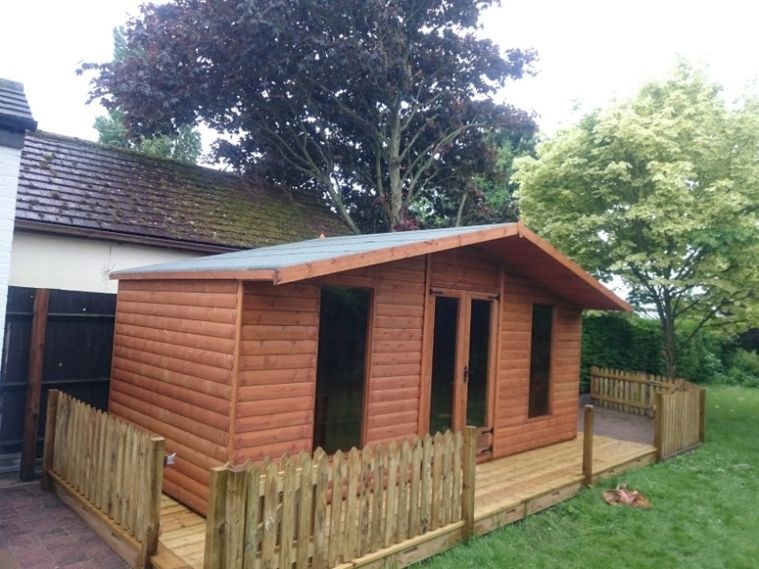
(72, 263)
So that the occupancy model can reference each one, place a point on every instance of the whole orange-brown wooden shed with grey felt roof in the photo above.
(347, 341)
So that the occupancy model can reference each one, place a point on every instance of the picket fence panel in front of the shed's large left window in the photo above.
(311, 511)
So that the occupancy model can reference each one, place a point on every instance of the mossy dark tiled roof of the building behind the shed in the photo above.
(70, 184)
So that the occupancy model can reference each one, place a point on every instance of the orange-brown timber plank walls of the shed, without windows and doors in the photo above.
(226, 371)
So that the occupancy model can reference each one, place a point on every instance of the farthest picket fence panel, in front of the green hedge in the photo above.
(628, 391)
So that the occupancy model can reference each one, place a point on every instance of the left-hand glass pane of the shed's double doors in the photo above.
(443, 363)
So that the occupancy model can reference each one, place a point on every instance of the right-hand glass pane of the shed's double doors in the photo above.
(479, 351)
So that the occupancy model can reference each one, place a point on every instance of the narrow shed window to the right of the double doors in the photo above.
(540, 360)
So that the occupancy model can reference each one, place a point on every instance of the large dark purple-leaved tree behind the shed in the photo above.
(374, 104)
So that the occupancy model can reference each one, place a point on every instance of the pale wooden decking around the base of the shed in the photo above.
(506, 490)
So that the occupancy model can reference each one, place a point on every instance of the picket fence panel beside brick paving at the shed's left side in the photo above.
(109, 471)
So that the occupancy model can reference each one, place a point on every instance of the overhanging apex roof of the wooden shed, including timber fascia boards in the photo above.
(521, 249)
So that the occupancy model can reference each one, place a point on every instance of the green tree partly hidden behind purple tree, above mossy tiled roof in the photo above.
(184, 146)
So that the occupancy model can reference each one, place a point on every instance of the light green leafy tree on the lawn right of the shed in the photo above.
(662, 191)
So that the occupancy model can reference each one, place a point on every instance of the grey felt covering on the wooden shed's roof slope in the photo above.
(293, 254)
